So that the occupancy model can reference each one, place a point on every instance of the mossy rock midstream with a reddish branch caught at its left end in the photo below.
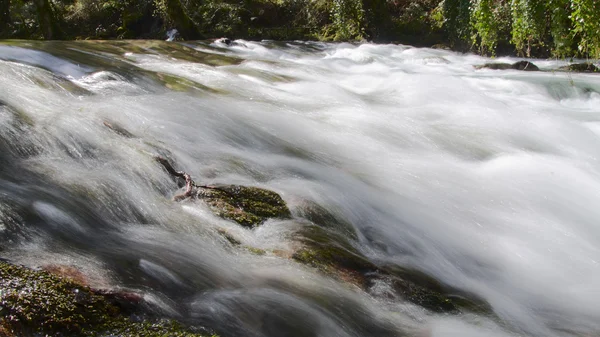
(248, 206)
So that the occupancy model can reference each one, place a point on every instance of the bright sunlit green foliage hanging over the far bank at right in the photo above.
(562, 28)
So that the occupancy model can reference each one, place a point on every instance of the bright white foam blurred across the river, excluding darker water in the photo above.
(488, 180)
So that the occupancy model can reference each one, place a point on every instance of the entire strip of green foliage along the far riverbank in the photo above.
(561, 28)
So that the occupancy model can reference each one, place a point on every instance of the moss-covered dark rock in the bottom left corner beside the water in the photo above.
(39, 303)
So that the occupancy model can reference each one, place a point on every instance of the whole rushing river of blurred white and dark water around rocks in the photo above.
(487, 180)
